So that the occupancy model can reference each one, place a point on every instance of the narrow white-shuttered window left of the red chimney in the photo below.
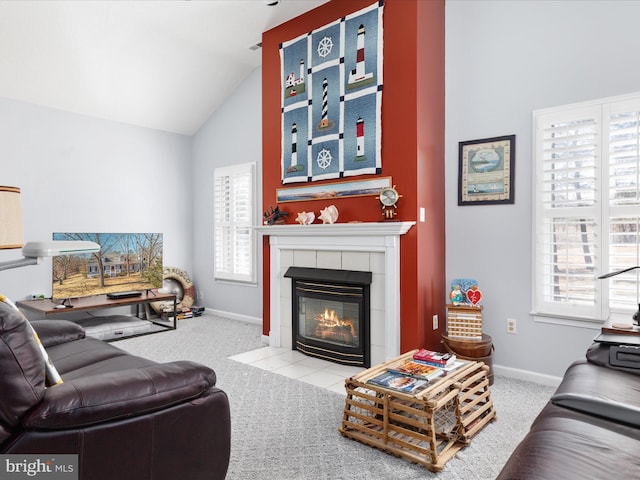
(234, 237)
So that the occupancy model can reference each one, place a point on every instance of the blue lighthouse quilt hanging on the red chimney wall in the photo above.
(332, 99)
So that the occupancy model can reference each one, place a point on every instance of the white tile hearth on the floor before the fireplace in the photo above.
(293, 364)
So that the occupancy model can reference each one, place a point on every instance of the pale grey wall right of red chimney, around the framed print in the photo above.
(503, 60)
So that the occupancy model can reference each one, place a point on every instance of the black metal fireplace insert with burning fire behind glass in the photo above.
(330, 313)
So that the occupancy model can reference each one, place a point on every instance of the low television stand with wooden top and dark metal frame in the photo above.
(47, 308)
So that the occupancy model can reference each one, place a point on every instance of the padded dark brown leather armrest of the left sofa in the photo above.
(115, 395)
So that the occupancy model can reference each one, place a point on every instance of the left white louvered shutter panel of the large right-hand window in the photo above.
(568, 146)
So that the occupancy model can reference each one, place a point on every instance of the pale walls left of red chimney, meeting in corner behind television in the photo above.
(79, 173)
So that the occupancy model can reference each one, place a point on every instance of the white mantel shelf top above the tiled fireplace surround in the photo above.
(337, 229)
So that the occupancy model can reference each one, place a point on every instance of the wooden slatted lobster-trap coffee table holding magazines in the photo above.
(428, 428)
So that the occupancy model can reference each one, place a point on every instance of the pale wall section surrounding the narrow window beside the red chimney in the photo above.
(231, 136)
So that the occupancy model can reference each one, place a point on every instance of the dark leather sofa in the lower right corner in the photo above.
(590, 429)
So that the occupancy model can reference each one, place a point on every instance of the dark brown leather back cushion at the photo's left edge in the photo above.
(22, 370)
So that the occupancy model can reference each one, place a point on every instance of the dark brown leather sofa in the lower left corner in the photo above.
(125, 417)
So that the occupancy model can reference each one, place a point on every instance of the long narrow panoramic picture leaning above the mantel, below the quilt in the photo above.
(353, 188)
